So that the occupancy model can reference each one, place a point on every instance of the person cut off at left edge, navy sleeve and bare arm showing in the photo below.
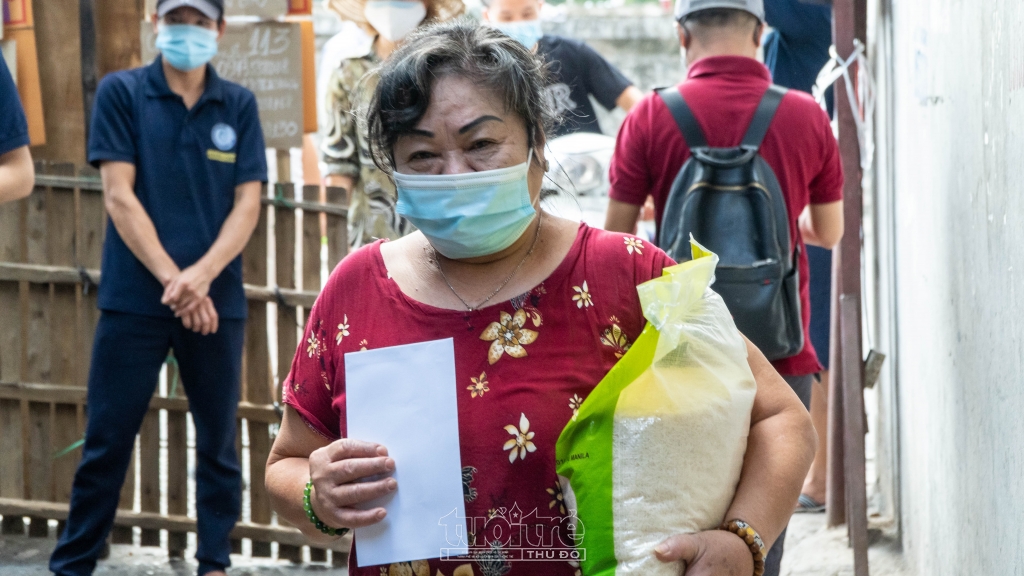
(17, 173)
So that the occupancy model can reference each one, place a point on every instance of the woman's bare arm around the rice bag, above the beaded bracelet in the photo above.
(780, 451)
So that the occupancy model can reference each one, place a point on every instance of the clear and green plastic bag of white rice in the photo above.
(658, 447)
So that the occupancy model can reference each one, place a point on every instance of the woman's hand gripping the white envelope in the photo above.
(347, 474)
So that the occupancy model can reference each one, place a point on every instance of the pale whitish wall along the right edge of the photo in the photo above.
(958, 129)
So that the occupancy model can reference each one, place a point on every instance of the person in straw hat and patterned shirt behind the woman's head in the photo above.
(374, 29)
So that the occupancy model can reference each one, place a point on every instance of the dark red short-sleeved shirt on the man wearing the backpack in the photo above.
(724, 92)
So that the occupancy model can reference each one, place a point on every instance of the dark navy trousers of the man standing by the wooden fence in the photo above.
(127, 356)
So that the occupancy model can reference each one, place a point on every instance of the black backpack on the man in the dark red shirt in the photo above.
(732, 202)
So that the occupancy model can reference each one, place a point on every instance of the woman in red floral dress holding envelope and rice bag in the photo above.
(540, 309)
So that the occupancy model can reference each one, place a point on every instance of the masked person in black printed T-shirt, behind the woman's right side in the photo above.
(578, 70)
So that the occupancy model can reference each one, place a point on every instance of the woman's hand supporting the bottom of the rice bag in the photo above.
(715, 553)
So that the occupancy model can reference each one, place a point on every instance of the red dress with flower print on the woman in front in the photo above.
(524, 368)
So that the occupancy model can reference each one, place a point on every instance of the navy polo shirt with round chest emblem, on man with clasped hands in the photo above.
(188, 164)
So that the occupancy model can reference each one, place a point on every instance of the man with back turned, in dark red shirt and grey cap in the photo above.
(724, 87)
